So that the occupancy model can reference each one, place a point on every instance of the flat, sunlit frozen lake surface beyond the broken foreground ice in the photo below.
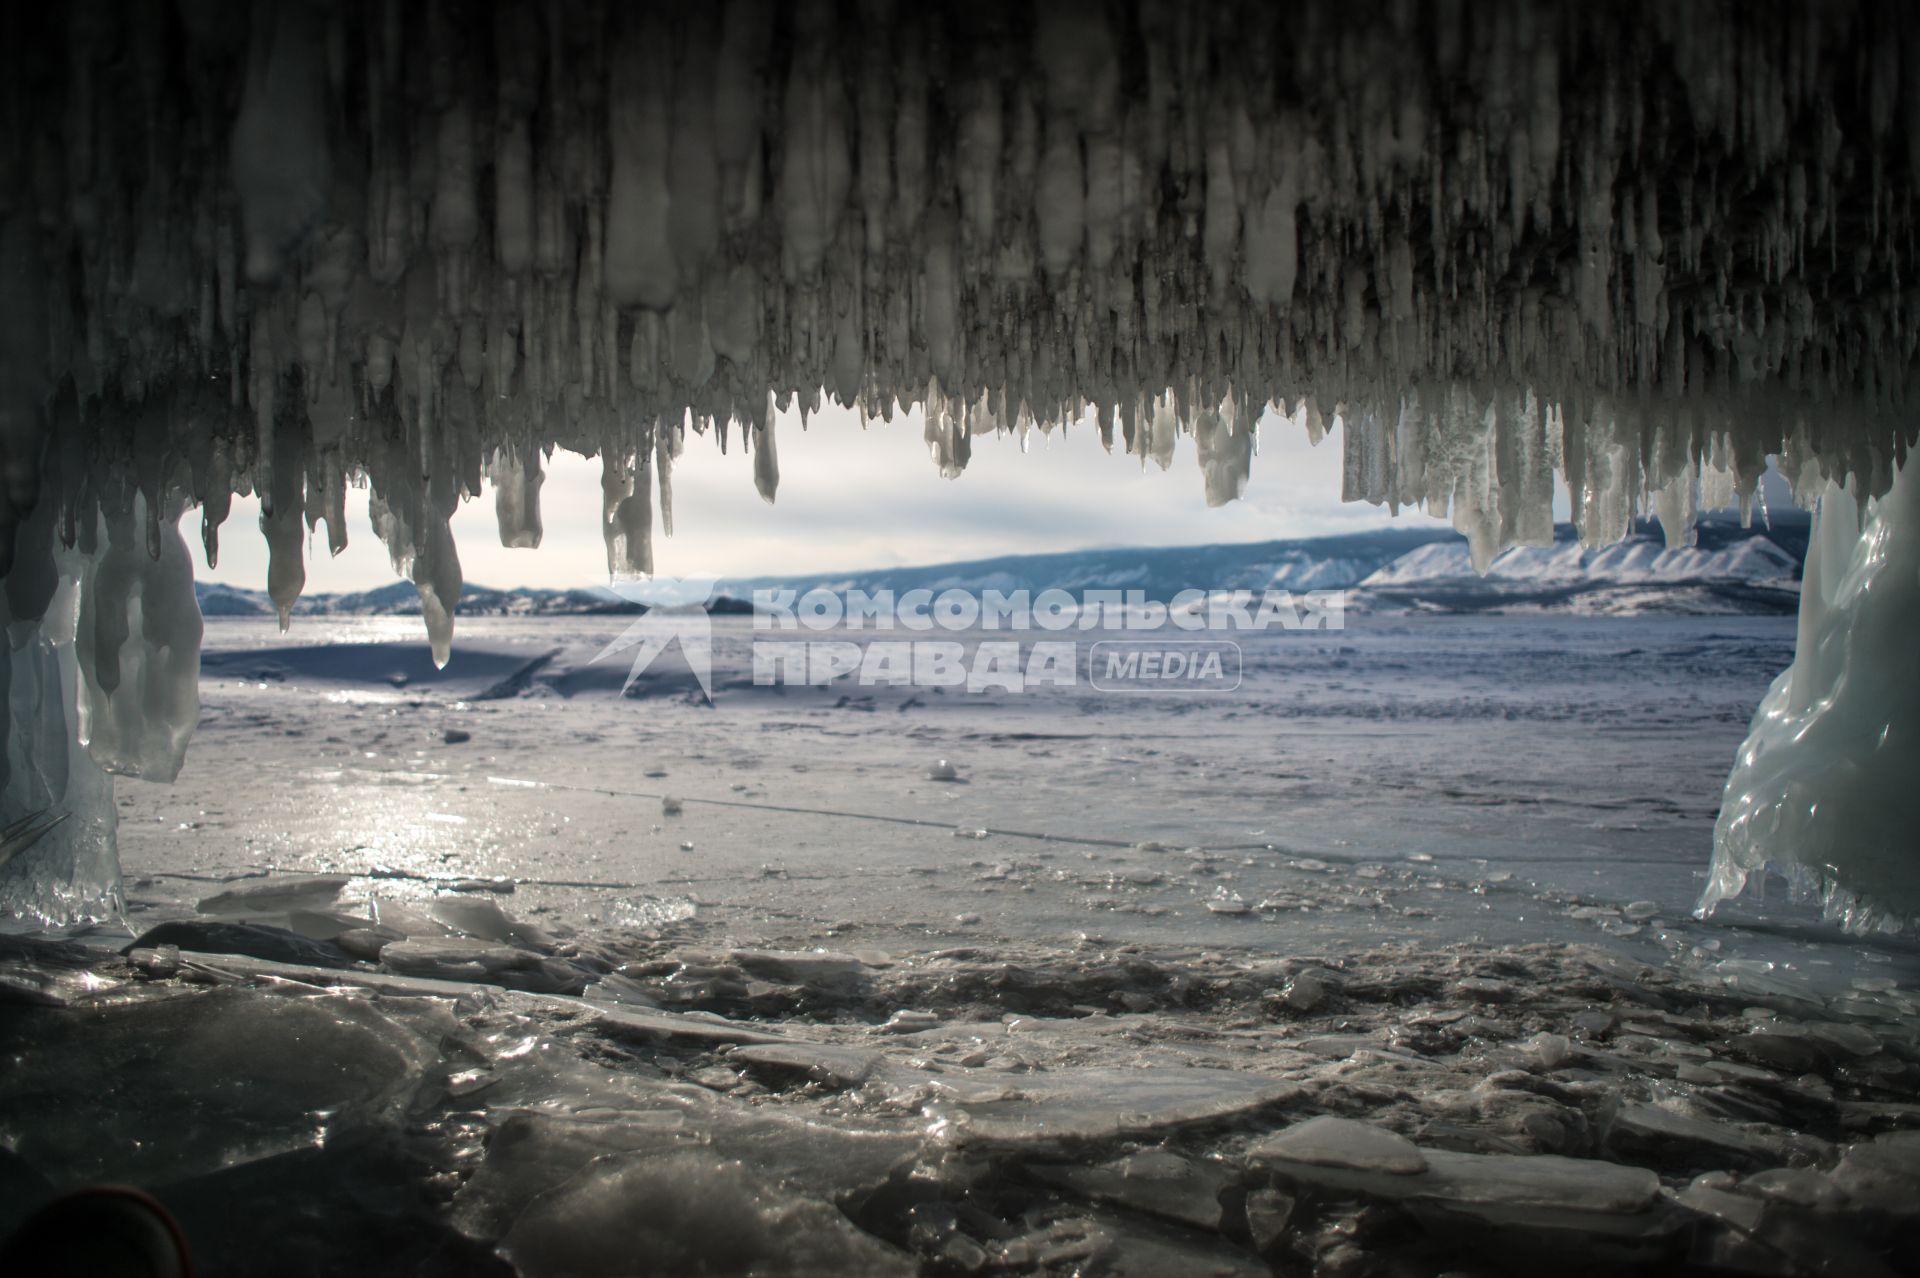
(1404, 778)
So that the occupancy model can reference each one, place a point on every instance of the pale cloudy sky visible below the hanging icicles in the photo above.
(855, 498)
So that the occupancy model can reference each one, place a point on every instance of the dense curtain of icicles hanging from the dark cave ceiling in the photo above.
(299, 248)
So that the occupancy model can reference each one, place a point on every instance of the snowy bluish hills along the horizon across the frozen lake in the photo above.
(1422, 569)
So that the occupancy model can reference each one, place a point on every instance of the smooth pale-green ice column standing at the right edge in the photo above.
(1823, 790)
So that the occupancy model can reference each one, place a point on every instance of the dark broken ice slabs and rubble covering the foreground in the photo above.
(1042, 1110)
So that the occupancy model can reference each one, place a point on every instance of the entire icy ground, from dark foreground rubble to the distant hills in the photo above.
(1381, 960)
